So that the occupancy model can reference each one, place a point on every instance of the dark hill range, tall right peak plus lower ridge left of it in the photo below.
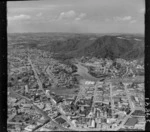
(102, 47)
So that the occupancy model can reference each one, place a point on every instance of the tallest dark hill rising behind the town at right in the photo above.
(112, 47)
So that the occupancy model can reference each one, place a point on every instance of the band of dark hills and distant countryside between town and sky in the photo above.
(126, 46)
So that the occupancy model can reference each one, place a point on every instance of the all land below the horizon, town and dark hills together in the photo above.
(57, 84)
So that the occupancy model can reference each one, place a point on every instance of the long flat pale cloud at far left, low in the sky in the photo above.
(19, 17)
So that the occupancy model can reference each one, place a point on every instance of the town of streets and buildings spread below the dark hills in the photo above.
(112, 102)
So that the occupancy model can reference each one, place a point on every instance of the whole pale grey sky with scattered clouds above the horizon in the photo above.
(76, 16)
